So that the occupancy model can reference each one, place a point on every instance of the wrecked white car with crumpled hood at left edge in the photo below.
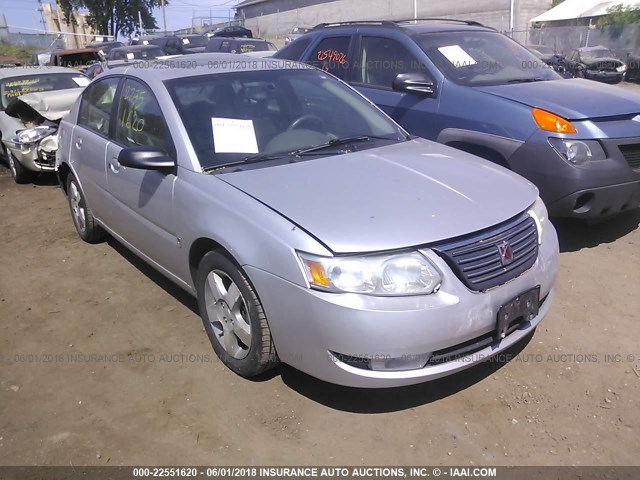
(33, 100)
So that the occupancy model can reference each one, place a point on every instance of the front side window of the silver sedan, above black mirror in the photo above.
(140, 121)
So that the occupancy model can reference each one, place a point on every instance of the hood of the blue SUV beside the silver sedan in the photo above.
(573, 99)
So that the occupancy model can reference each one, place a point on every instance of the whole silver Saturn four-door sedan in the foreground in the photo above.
(312, 229)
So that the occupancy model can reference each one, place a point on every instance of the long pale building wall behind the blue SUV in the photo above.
(274, 18)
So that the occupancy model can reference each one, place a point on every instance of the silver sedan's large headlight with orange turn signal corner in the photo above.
(387, 275)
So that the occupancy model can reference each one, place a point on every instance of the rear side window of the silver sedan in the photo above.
(95, 109)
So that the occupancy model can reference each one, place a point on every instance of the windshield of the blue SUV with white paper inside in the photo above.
(483, 58)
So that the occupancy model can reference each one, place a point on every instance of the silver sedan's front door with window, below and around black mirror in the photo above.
(142, 213)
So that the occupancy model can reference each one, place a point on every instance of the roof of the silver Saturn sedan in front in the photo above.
(206, 63)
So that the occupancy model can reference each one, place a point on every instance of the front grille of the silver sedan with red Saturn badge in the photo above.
(491, 258)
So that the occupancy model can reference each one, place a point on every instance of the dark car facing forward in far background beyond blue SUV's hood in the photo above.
(596, 63)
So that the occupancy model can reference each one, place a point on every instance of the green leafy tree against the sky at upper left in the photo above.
(113, 17)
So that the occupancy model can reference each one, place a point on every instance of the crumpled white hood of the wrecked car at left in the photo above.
(52, 105)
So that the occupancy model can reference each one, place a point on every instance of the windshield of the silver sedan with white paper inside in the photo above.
(249, 115)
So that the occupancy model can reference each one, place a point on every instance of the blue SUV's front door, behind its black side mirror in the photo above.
(378, 61)
